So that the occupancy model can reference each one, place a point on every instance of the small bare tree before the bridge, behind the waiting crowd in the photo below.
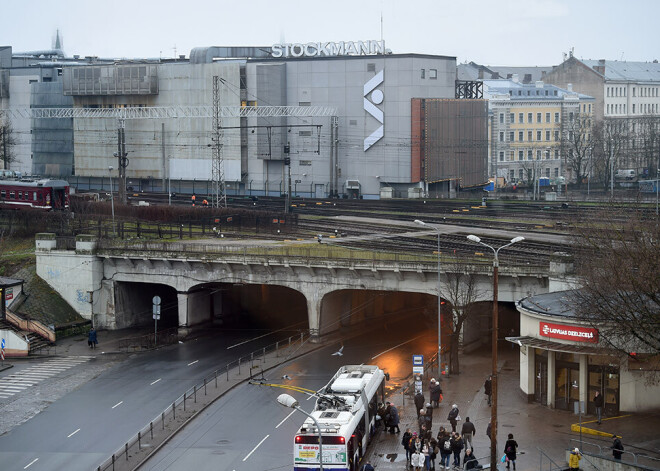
(460, 289)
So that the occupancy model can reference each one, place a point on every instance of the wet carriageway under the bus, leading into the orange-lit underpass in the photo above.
(248, 430)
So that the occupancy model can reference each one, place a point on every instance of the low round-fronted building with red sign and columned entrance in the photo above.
(563, 361)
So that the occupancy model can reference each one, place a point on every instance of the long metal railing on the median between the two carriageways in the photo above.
(245, 364)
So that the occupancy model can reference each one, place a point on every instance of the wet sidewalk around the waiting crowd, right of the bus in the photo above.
(533, 426)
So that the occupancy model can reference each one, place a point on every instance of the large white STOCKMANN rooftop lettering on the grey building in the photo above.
(321, 49)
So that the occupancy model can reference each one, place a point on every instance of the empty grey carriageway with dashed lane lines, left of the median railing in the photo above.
(83, 428)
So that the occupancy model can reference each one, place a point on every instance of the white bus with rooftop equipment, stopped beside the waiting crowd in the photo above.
(346, 413)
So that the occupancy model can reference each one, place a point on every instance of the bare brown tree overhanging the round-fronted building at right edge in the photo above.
(618, 261)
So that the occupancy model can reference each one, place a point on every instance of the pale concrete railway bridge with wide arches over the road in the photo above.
(272, 283)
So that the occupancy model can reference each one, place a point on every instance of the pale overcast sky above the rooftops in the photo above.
(489, 32)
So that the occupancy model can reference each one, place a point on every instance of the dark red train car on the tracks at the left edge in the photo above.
(44, 194)
